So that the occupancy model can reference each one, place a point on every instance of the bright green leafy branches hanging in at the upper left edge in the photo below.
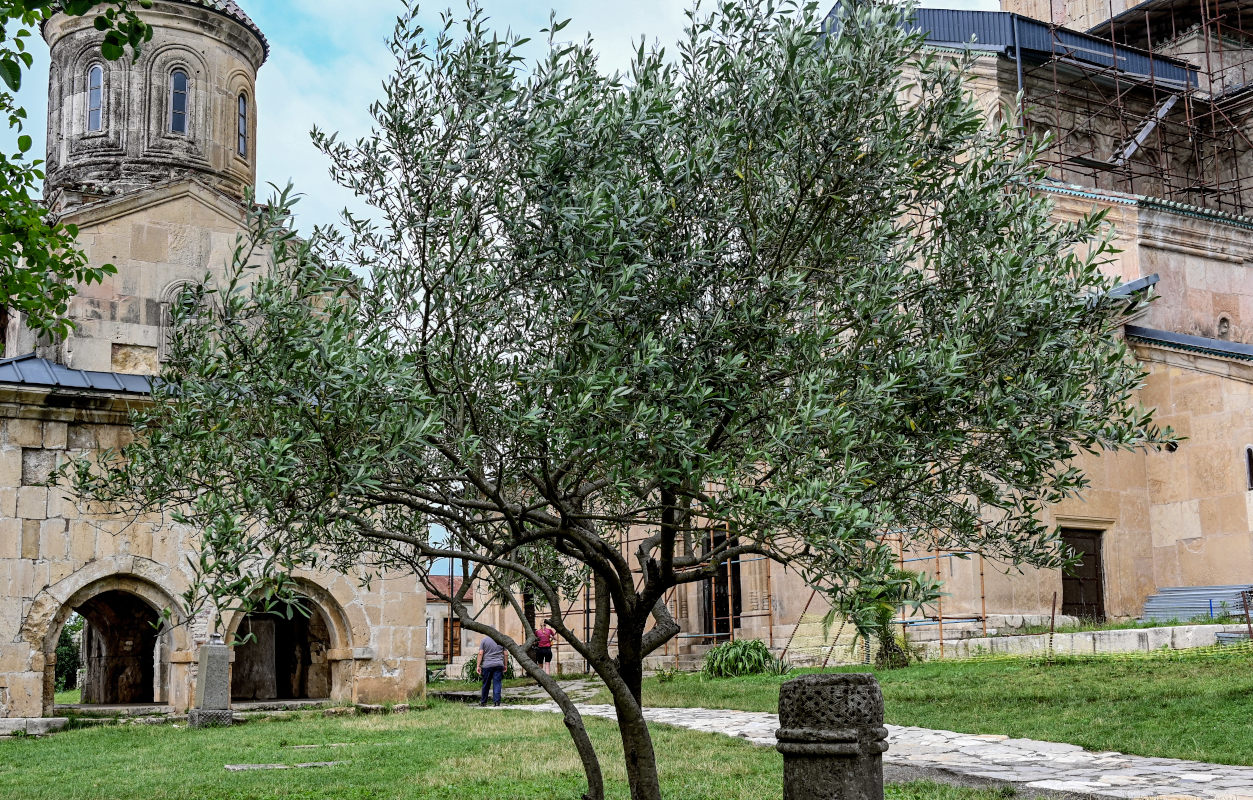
(39, 264)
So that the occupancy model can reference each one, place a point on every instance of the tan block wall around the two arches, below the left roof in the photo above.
(55, 557)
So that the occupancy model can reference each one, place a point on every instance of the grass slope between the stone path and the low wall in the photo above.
(1182, 708)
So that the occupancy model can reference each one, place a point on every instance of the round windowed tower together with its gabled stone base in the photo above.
(151, 160)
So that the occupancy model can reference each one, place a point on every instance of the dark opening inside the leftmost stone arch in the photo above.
(120, 650)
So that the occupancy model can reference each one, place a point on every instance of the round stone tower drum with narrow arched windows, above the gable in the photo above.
(186, 110)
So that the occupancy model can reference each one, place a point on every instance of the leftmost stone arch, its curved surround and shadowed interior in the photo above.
(98, 590)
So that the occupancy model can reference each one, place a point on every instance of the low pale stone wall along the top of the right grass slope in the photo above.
(1089, 643)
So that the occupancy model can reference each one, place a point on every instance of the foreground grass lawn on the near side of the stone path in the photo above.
(450, 752)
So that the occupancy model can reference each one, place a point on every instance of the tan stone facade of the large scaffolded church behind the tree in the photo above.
(1180, 517)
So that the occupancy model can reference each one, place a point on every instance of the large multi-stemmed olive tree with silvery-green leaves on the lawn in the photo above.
(786, 280)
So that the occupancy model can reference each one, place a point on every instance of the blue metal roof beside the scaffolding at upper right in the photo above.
(1023, 37)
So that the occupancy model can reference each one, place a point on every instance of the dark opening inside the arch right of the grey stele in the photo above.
(283, 659)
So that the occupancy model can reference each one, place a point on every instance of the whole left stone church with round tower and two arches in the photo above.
(151, 161)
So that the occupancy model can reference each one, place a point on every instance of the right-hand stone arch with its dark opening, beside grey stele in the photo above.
(294, 659)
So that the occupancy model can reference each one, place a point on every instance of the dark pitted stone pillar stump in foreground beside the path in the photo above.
(833, 738)
